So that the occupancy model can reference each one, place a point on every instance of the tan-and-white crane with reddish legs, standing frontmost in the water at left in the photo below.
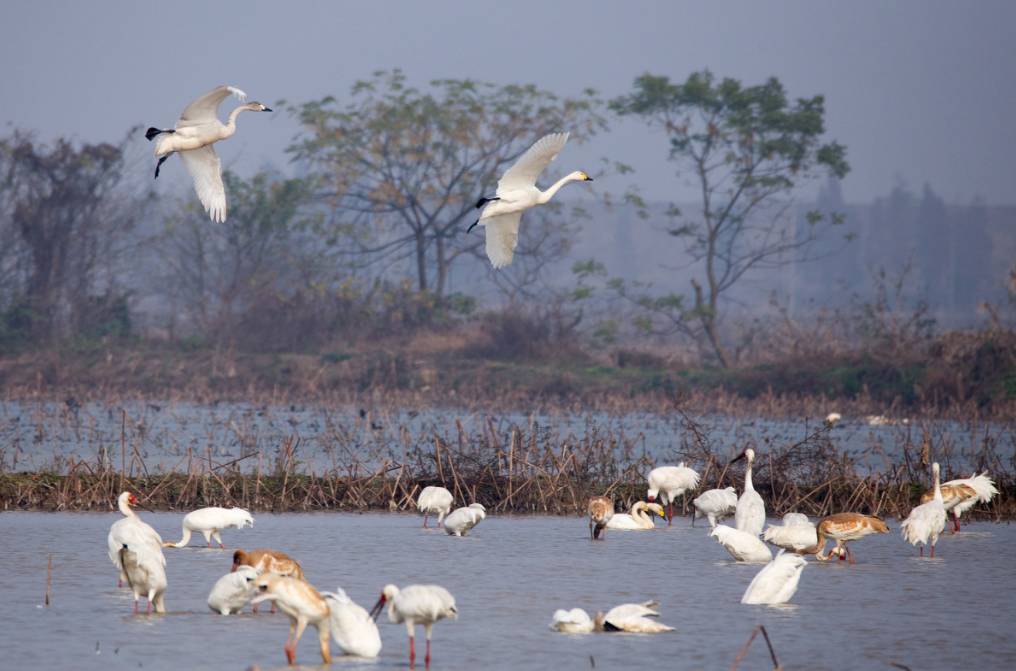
(303, 605)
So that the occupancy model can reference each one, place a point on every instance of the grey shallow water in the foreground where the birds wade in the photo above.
(509, 577)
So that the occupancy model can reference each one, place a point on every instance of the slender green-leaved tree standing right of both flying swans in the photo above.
(746, 150)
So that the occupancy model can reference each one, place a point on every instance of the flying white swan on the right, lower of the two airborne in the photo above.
(518, 193)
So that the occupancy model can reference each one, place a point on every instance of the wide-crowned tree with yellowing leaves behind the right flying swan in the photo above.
(402, 168)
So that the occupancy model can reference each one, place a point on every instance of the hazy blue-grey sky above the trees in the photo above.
(923, 91)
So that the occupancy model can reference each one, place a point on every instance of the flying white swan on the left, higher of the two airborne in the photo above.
(197, 131)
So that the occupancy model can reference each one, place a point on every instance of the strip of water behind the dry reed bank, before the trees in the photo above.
(169, 436)
